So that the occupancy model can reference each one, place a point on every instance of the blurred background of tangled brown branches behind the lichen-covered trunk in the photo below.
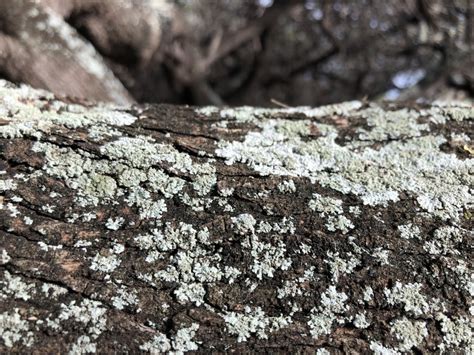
(241, 51)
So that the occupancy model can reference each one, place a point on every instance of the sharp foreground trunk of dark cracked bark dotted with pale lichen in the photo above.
(345, 228)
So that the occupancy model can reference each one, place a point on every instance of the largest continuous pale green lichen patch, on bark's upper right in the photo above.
(414, 165)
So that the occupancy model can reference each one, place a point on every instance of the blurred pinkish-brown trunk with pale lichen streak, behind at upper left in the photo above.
(39, 47)
